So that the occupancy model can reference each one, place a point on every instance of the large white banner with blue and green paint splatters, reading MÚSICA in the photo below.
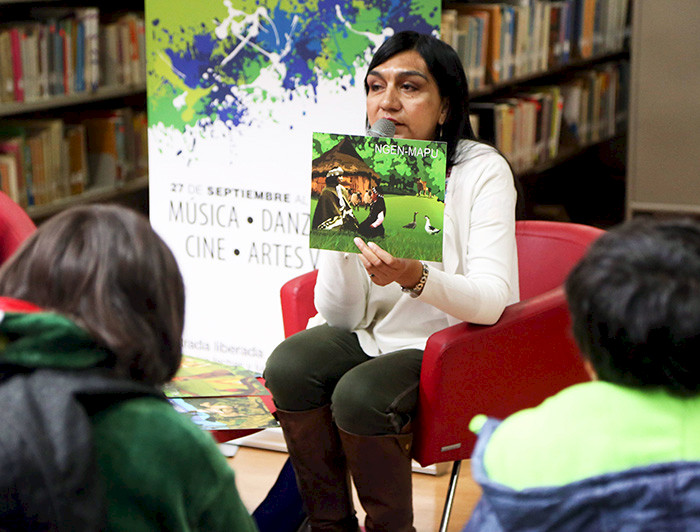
(235, 90)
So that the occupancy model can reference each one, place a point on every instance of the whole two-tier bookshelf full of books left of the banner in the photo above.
(72, 104)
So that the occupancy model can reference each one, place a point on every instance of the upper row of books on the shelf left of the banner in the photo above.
(59, 51)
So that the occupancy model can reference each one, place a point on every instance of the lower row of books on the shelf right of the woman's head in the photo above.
(535, 123)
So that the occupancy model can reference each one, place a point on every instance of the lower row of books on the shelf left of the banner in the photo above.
(43, 160)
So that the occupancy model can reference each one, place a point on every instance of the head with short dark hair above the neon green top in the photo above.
(635, 305)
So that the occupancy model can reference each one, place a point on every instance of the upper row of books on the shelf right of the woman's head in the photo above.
(499, 41)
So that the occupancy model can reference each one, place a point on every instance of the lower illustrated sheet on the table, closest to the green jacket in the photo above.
(226, 413)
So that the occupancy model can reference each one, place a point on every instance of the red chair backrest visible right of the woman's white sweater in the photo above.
(563, 243)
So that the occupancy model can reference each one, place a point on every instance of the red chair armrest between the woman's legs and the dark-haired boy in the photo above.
(528, 355)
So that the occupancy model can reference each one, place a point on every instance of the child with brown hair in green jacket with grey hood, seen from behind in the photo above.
(91, 317)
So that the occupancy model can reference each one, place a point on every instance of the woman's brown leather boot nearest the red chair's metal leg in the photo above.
(381, 471)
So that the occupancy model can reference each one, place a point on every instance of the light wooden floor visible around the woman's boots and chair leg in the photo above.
(256, 471)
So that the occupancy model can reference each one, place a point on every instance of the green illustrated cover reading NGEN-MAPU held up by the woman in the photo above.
(384, 190)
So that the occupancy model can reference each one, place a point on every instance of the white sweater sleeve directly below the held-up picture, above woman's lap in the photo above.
(341, 289)
